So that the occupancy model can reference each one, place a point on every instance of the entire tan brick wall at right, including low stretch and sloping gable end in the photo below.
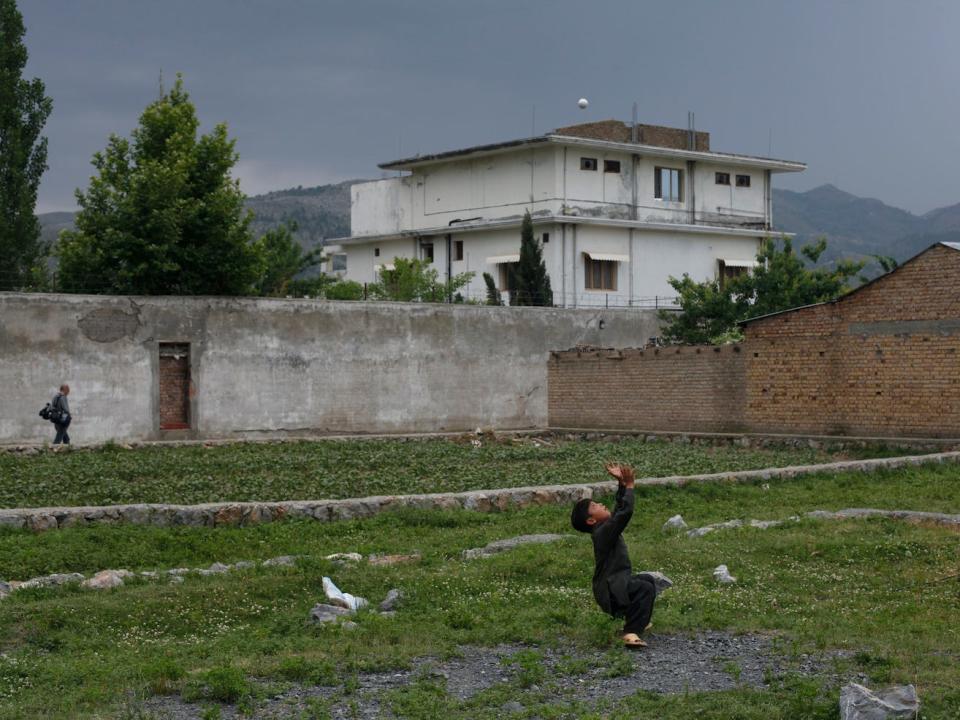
(882, 361)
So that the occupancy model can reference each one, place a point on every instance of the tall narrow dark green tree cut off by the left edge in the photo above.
(24, 109)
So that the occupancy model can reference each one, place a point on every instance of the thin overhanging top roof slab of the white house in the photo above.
(773, 164)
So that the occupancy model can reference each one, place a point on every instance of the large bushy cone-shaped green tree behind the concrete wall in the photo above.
(163, 216)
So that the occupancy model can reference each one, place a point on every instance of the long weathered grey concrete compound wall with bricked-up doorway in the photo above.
(264, 367)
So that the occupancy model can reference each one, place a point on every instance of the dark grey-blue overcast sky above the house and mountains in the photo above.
(315, 91)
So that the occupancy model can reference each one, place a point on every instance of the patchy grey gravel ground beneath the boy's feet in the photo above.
(704, 662)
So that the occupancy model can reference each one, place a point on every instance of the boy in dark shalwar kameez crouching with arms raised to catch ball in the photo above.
(617, 590)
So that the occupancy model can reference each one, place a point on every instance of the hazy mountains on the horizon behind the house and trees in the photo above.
(855, 227)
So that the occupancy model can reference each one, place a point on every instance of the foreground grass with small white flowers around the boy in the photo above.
(878, 589)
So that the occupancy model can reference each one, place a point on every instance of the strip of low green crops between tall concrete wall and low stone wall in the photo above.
(334, 469)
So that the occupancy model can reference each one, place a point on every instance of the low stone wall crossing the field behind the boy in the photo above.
(250, 513)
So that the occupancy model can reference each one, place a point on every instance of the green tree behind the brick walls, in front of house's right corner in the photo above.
(781, 280)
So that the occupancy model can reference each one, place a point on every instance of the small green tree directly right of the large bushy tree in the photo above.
(281, 260)
